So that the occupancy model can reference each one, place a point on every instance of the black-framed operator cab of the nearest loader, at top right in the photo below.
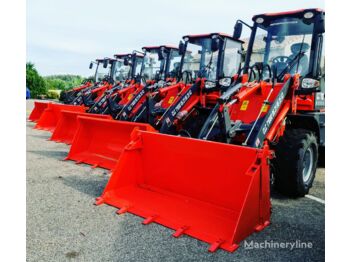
(288, 42)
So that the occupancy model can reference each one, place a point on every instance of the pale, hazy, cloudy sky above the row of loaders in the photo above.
(63, 36)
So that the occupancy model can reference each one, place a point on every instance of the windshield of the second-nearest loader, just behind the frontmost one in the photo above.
(200, 60)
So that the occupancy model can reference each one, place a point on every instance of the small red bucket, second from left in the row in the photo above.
(52, 113)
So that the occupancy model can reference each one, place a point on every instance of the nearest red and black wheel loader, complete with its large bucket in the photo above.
(266, 125)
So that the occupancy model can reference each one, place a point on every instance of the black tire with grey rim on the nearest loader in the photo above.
(296, 148)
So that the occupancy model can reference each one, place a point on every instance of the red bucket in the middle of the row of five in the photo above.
(67, 125)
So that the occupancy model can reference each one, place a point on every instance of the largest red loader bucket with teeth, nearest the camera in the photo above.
(217, 193)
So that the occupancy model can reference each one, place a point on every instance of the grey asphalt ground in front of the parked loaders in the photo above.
(64, 225)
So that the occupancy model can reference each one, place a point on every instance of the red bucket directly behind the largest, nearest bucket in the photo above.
(99, 142)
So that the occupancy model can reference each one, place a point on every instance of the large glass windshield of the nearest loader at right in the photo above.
(285, 44)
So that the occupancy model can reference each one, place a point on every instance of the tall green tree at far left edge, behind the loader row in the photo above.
(34, 81)
